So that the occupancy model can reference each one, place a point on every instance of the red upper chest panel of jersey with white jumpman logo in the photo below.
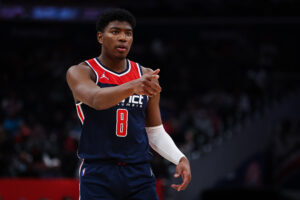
(109, 77)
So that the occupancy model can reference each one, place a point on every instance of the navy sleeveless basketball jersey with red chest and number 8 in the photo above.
(118, 132)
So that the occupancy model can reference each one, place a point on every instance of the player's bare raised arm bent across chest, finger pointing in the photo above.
(81, 80)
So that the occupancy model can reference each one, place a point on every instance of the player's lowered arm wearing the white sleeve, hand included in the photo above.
(162, 143)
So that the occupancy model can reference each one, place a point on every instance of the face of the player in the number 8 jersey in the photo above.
(116, 39)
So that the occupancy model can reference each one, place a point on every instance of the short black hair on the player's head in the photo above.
(113, 15)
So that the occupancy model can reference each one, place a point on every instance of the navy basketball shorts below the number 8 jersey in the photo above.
(117, 181)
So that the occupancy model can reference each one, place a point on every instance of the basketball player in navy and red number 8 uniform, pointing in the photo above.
(117, 102)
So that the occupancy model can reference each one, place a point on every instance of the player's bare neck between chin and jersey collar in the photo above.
(117, 65)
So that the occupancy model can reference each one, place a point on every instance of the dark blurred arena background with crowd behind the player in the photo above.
(230, 77)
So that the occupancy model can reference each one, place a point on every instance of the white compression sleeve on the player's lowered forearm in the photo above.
(163, 144)
